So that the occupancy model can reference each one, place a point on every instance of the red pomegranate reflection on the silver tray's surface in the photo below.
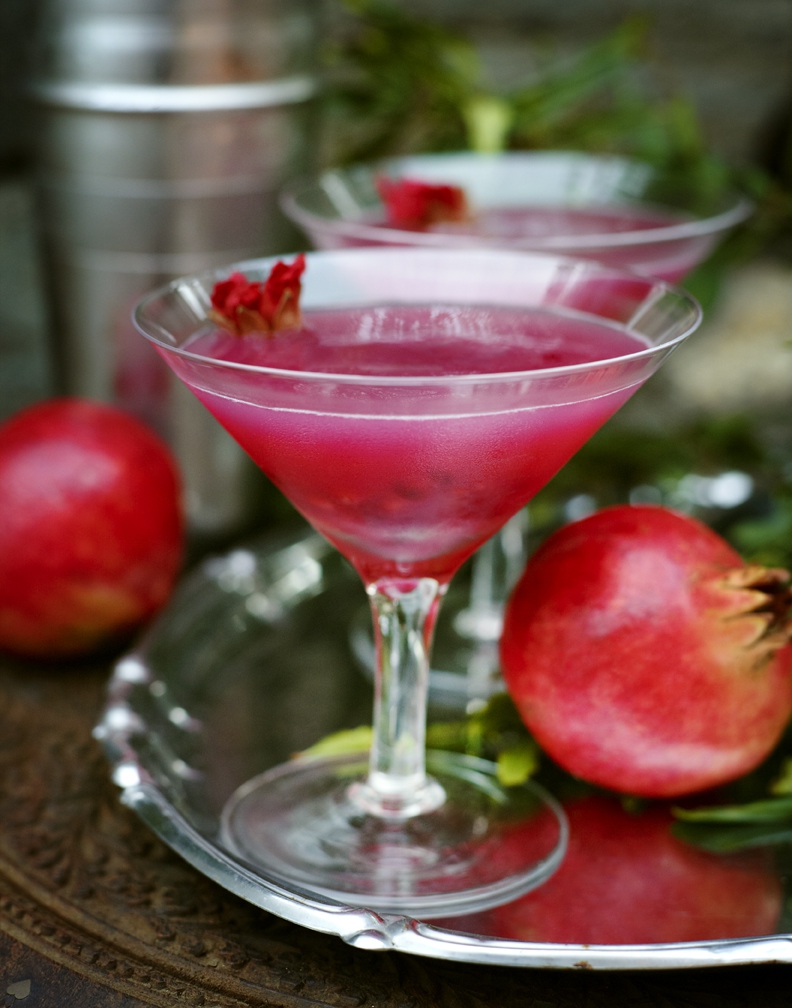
(627, 880)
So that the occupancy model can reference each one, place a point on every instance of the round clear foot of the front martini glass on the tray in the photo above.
(486, 845)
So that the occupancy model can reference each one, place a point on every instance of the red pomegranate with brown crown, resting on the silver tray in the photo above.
(645, 657)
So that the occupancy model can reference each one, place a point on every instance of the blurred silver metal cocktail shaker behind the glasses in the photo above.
(167, 130)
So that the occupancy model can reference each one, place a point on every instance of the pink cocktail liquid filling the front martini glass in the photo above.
(406, 482)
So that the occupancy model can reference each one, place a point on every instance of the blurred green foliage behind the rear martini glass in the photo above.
(404, 84)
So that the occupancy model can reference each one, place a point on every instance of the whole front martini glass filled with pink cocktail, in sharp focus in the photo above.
(408, 469)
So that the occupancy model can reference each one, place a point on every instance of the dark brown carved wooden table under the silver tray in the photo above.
(96, 912)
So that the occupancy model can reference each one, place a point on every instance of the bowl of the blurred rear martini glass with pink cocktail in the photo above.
(612, 210)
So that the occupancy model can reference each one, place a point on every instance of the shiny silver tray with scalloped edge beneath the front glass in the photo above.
(251, 664)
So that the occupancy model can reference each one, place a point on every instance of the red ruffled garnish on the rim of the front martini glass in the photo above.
(242, 306)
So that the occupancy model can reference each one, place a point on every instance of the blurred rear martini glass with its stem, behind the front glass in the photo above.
(613, 210)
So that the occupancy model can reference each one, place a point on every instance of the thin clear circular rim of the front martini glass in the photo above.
(662, 288)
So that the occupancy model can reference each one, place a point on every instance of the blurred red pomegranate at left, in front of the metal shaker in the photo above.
(92, 532)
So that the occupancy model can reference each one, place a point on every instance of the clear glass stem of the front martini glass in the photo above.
(405, 613)
